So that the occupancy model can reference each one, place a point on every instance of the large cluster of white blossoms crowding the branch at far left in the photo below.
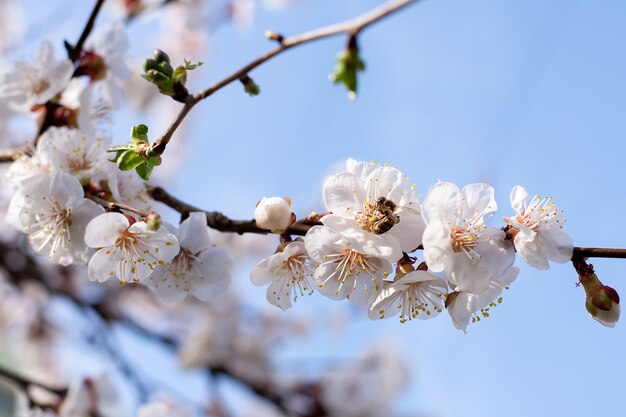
(68, 193)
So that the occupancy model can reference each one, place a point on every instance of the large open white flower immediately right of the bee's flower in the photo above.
(458, 242)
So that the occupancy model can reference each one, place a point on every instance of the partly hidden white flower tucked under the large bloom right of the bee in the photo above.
(463, 305)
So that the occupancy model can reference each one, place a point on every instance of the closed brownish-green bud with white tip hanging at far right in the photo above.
(602, 301)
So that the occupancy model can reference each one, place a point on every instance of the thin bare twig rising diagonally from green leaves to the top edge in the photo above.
(350, 27)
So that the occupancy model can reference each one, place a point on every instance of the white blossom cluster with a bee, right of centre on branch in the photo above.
(360, 250)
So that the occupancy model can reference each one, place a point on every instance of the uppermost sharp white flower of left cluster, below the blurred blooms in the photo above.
(69, 150)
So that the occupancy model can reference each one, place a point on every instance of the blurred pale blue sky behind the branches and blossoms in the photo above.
(503, 92)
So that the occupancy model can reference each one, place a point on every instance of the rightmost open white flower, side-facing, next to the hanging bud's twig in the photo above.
(539, 234)
